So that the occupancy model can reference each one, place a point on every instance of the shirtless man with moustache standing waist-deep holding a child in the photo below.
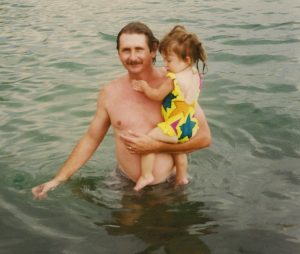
(129, 112)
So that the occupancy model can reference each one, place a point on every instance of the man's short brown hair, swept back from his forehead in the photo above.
(139, 28)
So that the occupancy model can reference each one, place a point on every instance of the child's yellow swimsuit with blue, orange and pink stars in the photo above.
(179, 117)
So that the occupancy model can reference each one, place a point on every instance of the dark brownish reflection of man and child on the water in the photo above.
(162, 216)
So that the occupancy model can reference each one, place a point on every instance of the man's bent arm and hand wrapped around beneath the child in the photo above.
(142, 143)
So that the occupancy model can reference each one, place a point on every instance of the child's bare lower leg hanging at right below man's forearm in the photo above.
(181, 164)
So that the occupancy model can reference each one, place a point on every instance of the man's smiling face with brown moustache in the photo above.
(134, 53)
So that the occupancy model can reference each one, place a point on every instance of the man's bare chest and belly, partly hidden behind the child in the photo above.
(132, 110)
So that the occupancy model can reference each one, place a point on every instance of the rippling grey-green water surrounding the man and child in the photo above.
(244, 195)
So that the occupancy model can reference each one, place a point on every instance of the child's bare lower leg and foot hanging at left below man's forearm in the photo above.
(146, 177)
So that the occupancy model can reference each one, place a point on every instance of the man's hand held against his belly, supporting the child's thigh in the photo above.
(139, 143)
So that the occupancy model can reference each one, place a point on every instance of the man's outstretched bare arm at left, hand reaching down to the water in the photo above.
(84, 149)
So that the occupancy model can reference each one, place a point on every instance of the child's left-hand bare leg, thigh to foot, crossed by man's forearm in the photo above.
(147, 160)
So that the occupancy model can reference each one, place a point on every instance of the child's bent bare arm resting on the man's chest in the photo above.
(157, 94)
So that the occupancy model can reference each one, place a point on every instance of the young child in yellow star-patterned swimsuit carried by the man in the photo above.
(181, 51)
